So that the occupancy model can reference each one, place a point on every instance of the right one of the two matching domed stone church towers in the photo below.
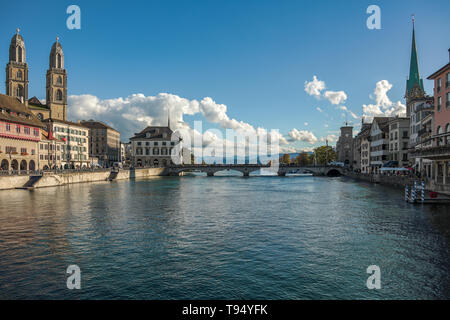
(56, 98)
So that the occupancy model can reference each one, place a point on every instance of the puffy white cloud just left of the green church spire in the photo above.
(383, 106)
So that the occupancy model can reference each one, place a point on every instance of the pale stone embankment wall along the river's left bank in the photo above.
(50, 179)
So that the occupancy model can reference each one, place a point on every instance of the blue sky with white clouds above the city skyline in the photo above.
(301, 67)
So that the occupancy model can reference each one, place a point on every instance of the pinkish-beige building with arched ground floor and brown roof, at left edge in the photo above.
(19, 136)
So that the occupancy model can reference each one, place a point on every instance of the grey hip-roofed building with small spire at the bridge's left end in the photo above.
(155, 146)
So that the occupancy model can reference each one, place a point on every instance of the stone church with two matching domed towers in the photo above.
(55, 106)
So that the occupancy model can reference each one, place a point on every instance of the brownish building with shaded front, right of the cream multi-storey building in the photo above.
(104, 142)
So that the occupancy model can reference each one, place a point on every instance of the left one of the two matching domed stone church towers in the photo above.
(17, 69)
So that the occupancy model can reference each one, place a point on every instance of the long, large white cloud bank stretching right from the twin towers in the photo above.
(133, 113)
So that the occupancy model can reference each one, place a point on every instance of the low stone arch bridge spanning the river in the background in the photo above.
(246, 169)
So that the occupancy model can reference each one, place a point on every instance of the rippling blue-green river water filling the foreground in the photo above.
(228, 237)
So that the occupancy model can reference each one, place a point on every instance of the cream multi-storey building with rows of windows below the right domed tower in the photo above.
(75, 147)
